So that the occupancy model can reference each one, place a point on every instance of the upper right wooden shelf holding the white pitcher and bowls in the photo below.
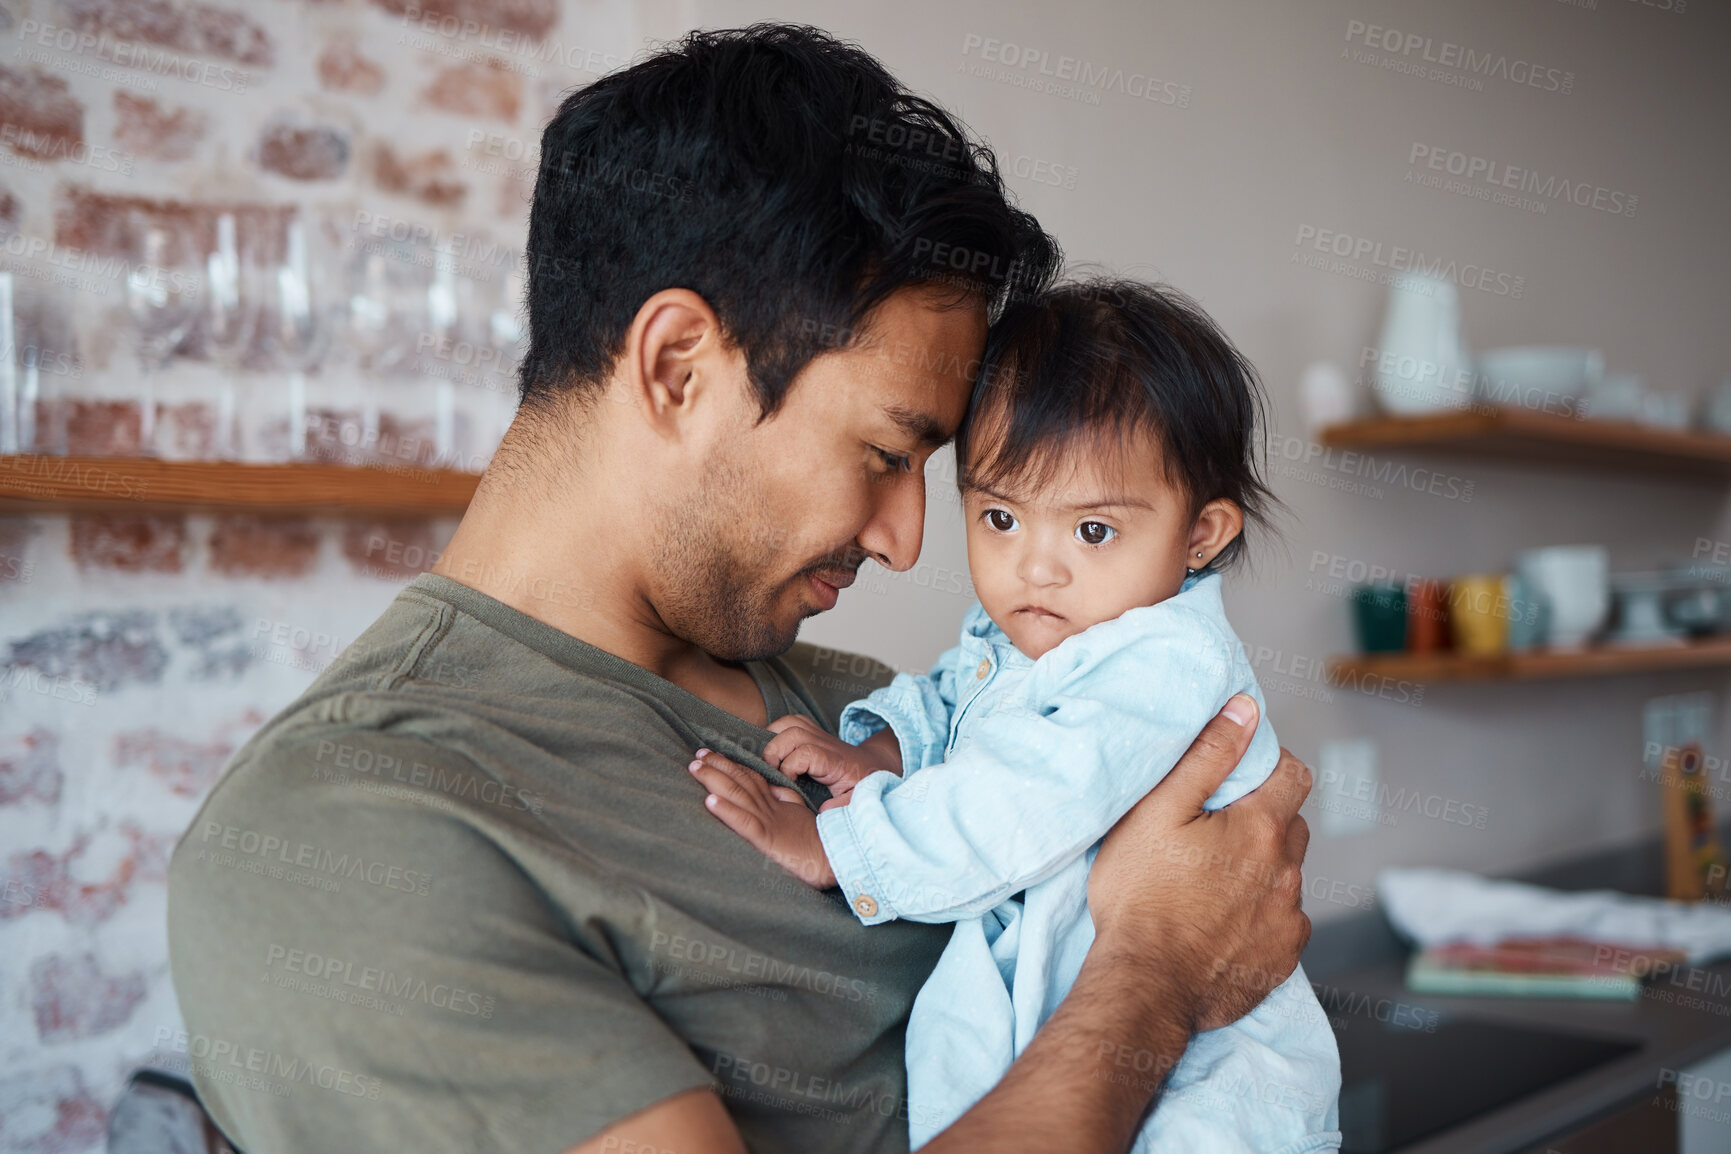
(1545, 439)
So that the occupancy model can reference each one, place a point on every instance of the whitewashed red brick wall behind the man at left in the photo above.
(138, 651)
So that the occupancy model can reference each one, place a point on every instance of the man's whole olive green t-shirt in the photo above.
(465, 895)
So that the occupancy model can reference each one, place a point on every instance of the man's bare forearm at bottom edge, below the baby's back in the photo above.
(1090, 1075)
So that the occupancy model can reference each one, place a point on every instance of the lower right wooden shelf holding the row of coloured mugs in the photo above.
(1533, 667)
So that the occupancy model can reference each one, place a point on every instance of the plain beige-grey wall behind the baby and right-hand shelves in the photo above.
(1287, 129)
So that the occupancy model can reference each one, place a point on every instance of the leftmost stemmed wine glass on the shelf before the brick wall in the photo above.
(164, 286)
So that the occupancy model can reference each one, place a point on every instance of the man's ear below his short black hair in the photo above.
(674, 361)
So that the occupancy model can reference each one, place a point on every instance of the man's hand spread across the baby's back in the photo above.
(1209, 902)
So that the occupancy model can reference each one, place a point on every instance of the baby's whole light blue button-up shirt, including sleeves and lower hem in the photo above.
(1012, 774)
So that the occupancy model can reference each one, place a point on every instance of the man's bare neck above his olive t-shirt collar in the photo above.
(558, 549)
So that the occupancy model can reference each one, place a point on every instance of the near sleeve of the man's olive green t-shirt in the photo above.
(363, 970)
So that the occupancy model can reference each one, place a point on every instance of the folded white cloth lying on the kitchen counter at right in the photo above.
(1434, 907)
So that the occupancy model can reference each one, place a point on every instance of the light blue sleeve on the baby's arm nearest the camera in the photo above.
(1038, 786)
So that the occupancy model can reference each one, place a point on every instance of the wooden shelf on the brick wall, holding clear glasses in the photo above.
(138, 484)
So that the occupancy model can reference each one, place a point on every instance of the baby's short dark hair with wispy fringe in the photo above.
(1117, 357)
